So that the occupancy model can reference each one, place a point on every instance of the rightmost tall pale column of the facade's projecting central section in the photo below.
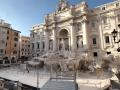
(85, 34)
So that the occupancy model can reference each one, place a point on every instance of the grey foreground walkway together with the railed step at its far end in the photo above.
(63, 81)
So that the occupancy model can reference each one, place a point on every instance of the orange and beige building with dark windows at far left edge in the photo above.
(9, 41)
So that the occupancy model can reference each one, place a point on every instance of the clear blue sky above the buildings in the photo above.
(23, 14)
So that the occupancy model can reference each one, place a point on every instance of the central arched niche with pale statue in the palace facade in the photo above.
(63, 40)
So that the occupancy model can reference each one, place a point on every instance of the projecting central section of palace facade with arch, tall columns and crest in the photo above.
(66, 28)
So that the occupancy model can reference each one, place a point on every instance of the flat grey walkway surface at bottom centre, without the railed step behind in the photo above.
(58, 85)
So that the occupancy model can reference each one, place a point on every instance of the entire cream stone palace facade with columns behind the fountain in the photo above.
(78, 28)
